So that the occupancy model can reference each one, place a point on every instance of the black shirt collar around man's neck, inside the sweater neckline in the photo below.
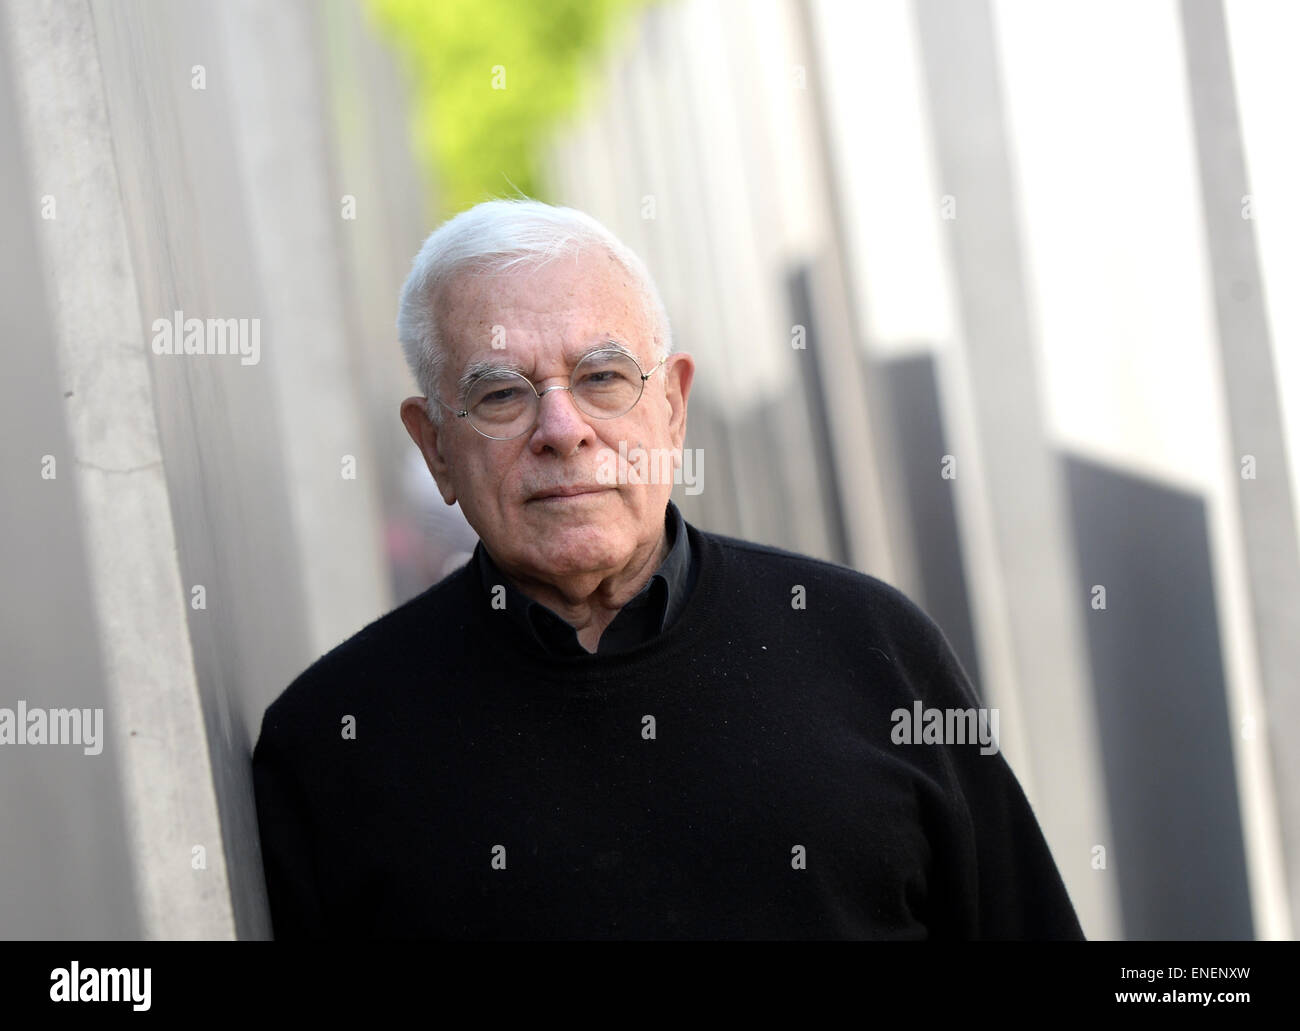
(648, 614)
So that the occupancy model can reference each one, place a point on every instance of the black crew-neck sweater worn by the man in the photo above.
(484, 790)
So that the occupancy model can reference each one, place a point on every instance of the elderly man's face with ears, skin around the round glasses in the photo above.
(552, 317)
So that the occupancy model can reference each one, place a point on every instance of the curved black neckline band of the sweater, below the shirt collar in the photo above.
(694, 623)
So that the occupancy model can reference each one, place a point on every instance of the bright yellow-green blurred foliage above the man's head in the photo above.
(478, 140)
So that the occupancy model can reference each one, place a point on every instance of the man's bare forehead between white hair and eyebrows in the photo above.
(564, 307)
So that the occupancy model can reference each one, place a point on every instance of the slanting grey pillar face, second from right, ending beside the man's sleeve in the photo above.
(1042, 603)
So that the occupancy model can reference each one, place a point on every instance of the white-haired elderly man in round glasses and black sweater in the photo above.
(610, 724)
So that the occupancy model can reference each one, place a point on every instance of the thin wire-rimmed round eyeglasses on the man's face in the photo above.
(502, 405)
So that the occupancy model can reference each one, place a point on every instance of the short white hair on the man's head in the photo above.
(495, 237)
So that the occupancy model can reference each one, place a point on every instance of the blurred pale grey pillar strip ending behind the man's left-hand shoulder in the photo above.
(296, 219)
